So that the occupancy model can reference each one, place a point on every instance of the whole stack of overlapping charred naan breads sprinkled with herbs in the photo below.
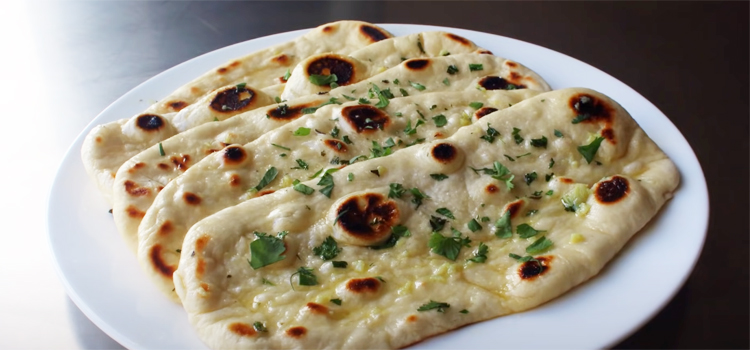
(350, 189)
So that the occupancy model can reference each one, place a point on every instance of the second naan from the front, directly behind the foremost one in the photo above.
(335, 136)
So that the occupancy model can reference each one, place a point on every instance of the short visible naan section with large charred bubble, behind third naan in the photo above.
(372, 60)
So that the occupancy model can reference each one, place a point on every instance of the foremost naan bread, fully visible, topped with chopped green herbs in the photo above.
(424, 285)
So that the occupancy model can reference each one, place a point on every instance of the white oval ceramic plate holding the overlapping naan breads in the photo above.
(104, 279)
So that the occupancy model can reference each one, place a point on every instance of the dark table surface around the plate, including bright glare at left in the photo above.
(64, 62)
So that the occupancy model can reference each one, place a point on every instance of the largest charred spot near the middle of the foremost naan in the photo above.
(372, 222)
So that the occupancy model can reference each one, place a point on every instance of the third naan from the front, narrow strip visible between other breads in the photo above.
(140, 178)
